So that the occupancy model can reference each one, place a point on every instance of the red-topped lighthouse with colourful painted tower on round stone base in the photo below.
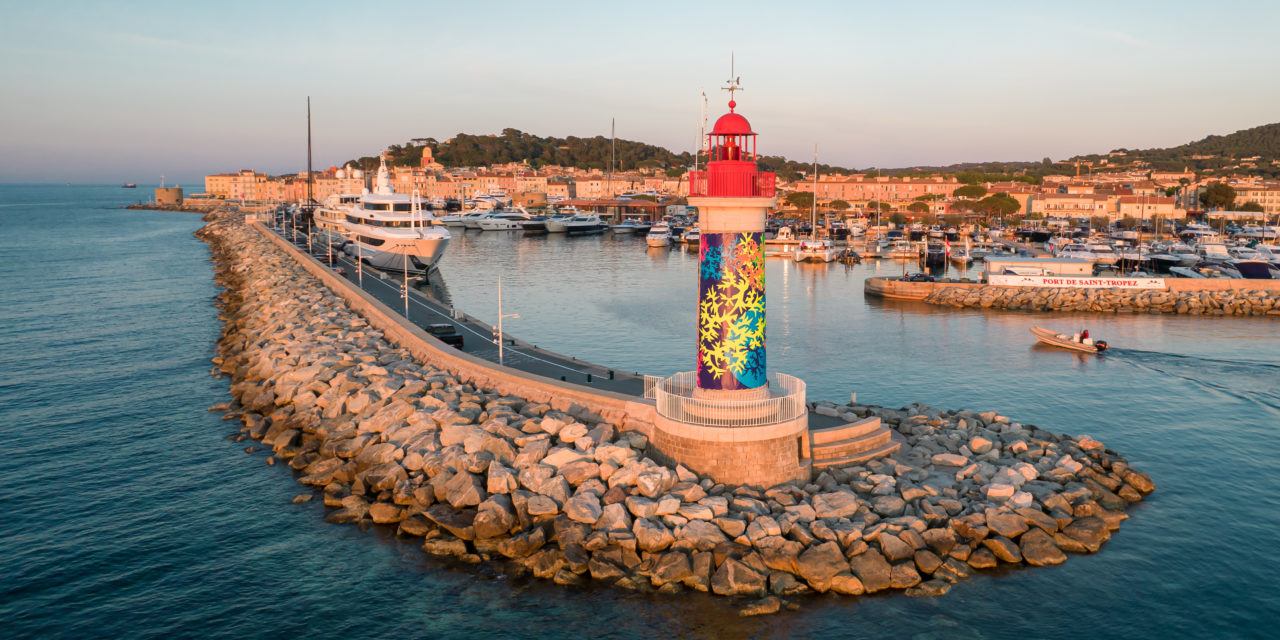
(732, 418)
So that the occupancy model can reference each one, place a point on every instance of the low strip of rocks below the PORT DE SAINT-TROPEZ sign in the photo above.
(1249, 303)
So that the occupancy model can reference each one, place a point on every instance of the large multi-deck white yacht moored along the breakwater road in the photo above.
(394, 232)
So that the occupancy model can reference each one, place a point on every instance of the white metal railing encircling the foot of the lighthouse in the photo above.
(785, 400)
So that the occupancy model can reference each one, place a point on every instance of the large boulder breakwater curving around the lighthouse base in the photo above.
(487, 478)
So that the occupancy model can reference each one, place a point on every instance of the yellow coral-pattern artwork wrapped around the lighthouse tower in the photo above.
(732, 312)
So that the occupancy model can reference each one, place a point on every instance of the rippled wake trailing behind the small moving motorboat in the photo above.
(1251, 381)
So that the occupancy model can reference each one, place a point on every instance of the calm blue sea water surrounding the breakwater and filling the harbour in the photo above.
(126, 513)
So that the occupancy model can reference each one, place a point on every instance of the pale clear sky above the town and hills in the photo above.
(129, 92)
